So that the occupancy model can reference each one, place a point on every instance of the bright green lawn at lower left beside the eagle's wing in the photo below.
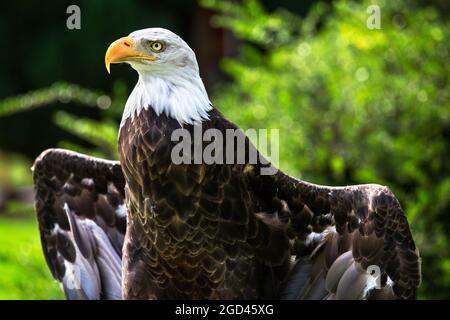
(23, 272)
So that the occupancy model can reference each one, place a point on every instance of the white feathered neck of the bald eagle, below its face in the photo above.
(182, 97)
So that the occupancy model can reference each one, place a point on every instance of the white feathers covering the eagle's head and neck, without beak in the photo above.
(171, 84)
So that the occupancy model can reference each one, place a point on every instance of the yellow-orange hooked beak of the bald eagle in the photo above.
(123, 50)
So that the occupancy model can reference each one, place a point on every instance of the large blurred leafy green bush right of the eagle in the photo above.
(353, 105)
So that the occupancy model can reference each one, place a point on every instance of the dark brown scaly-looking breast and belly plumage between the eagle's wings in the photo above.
(195, 225)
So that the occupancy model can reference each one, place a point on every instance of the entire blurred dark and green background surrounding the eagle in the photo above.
(353, 105)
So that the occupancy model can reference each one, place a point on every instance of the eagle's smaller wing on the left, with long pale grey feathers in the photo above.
(82, 220)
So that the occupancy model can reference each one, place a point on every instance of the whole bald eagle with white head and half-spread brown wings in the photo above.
(148, 228)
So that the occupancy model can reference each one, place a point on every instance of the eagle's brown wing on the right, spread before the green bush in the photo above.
(349, 242)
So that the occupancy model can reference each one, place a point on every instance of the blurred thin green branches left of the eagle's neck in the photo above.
(102, 134)
